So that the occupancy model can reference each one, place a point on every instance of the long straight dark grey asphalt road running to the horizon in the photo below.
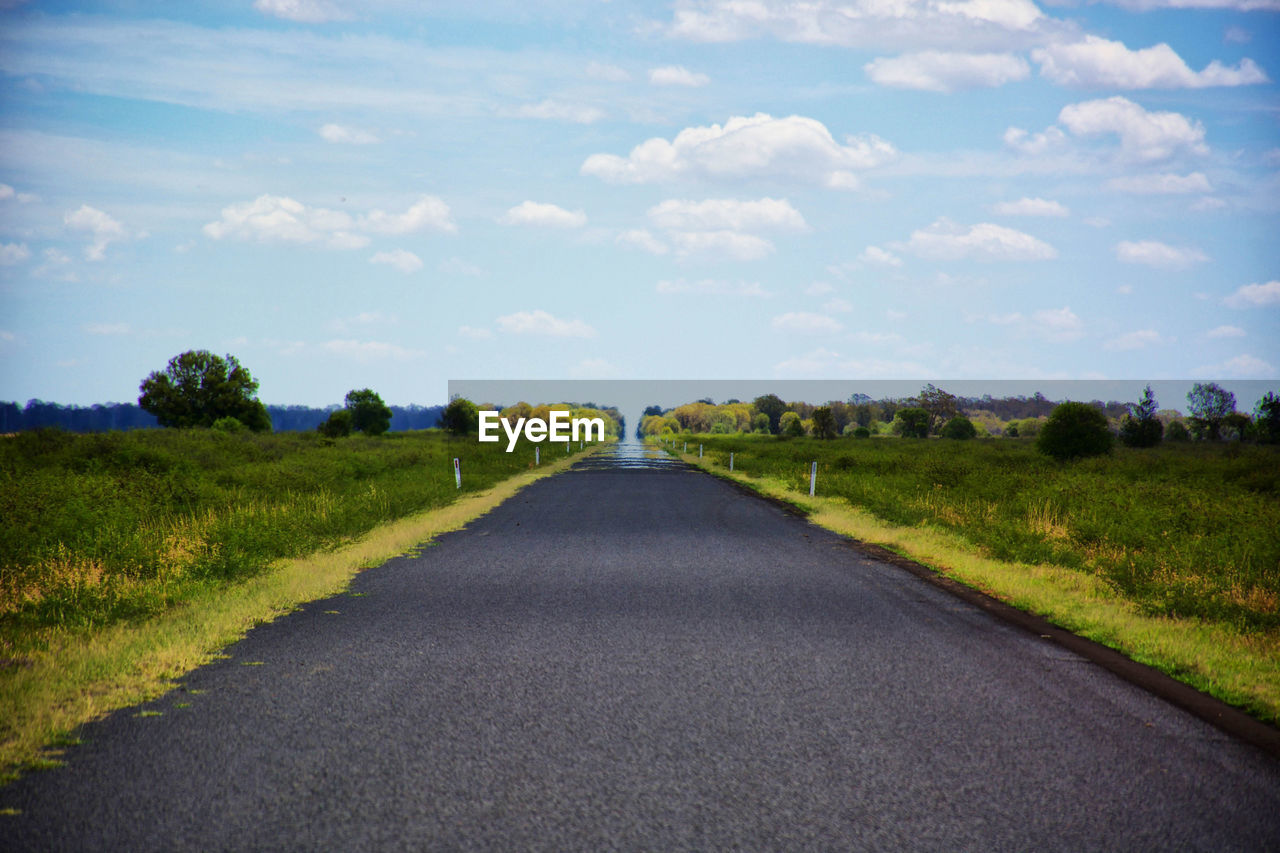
(633, 656)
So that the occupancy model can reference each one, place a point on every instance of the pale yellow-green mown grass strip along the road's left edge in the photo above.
(84, 674)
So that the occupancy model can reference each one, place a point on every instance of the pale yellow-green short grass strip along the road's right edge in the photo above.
(1241, 668)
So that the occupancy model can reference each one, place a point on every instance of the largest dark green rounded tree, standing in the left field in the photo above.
(199, 389)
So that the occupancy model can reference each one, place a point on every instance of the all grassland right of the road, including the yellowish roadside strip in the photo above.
(1169, 555)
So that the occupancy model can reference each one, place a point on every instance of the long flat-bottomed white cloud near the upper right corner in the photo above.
(1100, 63)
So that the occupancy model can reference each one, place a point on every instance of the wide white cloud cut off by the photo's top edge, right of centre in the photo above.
(858, 24)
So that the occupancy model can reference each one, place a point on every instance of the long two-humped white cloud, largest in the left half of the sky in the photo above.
(280, 220)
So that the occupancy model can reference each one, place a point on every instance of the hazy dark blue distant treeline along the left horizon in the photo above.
(102, 418)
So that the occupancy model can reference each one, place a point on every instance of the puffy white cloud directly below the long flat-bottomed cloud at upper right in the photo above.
(1146, 136)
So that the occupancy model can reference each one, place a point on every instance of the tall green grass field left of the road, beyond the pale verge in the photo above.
(113, 527)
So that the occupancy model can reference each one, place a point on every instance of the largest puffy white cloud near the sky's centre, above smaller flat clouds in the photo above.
(761, 147)
